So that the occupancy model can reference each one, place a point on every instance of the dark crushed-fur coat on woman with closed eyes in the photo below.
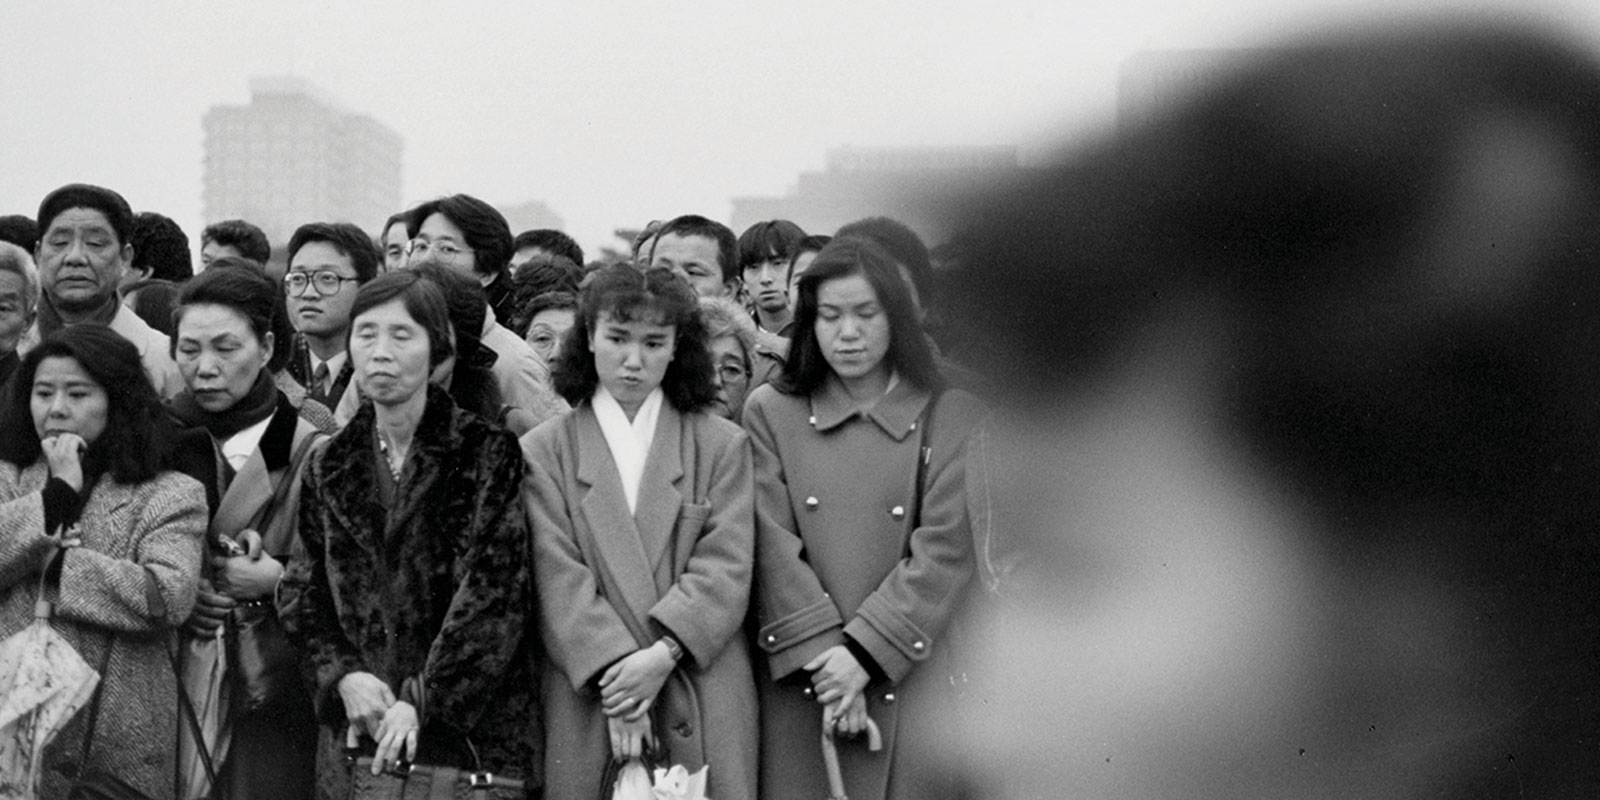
(434, 588)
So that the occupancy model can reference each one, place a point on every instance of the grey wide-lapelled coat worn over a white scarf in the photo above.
(612, 583)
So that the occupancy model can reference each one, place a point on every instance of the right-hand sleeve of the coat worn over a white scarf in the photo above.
(710, 601)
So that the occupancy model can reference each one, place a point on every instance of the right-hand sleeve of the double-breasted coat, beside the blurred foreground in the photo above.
(898, 623)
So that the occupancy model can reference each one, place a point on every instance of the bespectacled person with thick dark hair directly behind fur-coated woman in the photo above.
(471, 236)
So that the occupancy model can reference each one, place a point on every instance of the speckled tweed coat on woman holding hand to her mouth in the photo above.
(127, 590)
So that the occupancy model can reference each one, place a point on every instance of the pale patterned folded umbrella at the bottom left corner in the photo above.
(44, 682)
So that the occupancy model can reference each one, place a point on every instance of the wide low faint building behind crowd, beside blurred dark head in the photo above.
(906, 183)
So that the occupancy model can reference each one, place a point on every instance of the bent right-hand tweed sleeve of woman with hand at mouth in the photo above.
(156, 588)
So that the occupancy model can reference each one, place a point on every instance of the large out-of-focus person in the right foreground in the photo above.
(1298, 438)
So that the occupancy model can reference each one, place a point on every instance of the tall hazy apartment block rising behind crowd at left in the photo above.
(295, 156)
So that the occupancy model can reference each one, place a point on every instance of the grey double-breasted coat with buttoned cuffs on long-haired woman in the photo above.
(838, 553)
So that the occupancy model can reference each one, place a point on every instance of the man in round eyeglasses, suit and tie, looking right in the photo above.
(329, 263)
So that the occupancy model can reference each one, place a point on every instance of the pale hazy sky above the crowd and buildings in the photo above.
(610, 113)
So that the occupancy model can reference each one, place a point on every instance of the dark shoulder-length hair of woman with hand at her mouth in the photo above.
(137, 428)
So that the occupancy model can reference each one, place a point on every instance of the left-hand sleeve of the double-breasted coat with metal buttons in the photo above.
(798, 617)
